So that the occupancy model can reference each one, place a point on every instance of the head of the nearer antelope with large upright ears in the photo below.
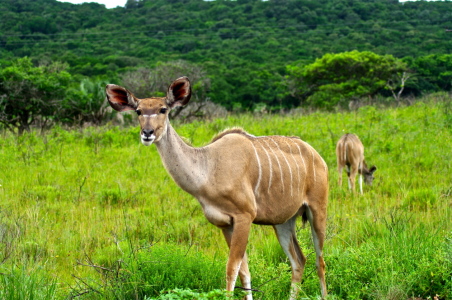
(152, 112)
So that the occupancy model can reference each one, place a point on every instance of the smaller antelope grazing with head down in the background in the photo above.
(350, 154)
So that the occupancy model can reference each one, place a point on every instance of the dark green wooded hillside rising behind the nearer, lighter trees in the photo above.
(243, 46)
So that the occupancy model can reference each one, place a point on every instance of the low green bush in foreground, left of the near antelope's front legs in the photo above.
(162, 270)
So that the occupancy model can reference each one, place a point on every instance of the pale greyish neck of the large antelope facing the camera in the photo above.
(186, 165)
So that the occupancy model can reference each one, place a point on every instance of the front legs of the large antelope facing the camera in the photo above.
(237, 238)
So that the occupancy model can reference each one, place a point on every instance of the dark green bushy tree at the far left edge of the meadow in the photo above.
(29, 93)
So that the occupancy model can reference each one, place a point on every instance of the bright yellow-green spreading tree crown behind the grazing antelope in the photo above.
(340, 77)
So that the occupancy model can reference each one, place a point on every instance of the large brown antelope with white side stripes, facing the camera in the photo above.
(240, 179)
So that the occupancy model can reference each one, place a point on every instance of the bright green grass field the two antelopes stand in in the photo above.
(92, 214)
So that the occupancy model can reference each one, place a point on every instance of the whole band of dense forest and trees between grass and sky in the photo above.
(241, 54)
